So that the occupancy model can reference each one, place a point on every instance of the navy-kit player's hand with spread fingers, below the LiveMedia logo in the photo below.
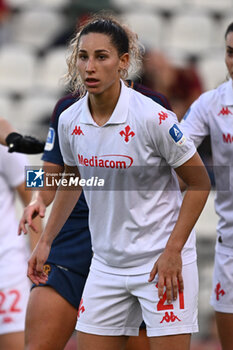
(34, 208)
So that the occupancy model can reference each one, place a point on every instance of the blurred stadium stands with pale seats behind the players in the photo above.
(33, 48)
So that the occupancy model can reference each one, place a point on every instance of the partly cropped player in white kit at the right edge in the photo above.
(212, 114)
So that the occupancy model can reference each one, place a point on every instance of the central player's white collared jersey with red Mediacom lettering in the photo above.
(129, 226)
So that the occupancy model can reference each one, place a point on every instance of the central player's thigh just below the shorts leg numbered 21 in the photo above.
(174, 342)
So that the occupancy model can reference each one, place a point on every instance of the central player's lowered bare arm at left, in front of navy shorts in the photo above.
(64, 202)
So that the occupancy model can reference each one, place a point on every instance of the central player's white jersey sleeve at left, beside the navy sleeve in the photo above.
(64, 142)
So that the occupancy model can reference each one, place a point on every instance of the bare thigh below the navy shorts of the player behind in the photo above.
(50, 320)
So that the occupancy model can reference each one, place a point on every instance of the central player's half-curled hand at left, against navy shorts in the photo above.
(36, 263)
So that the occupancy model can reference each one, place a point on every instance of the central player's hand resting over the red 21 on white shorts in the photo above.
(169, 270)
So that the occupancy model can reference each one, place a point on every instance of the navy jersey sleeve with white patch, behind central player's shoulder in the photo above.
(52, 152)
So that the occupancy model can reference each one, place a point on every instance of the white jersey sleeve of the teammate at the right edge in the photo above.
(195, 121)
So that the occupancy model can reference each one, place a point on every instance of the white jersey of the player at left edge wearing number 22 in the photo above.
(13, 248)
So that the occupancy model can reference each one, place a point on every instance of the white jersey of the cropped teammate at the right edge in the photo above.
(212, 114)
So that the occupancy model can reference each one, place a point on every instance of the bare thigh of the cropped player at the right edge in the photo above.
(225, 326)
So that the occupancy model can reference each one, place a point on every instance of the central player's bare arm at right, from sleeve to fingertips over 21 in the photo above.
(169, 265)
